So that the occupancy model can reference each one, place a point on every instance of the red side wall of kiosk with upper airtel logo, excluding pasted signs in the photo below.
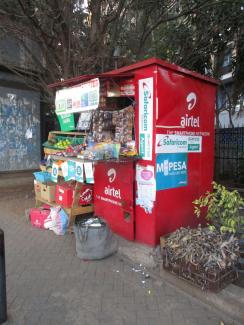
(186, 107)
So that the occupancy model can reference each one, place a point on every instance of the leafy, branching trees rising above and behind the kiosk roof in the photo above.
(76, 36)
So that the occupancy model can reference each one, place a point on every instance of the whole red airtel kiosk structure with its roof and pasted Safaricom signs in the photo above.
(174, 133)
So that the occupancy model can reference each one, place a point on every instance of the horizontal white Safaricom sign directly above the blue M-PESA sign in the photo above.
(171, 143)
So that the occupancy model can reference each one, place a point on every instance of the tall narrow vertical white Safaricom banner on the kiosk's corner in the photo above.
(145, 118)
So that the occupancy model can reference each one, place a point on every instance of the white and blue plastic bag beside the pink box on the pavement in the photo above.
(57, 221)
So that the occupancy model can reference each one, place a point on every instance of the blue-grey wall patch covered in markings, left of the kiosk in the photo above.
(19, 129)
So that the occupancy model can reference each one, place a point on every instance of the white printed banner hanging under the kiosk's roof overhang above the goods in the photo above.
(79, 98)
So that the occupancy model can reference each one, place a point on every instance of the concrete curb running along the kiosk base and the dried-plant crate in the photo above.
(229, 301)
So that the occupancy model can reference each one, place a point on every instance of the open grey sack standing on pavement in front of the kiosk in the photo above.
(94, 239)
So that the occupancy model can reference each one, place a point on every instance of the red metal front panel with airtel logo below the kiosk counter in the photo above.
(114, 196)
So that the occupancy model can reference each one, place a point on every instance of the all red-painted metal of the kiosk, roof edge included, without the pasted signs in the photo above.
(183, 104)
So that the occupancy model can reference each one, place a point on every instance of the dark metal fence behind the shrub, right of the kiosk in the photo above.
(229, 156)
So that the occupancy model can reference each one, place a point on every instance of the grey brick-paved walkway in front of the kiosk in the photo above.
(48, 284)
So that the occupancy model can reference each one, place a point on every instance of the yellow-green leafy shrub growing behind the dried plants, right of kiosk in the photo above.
(222, 208)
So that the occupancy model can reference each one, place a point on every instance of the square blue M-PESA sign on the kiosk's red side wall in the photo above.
(171, 171)
